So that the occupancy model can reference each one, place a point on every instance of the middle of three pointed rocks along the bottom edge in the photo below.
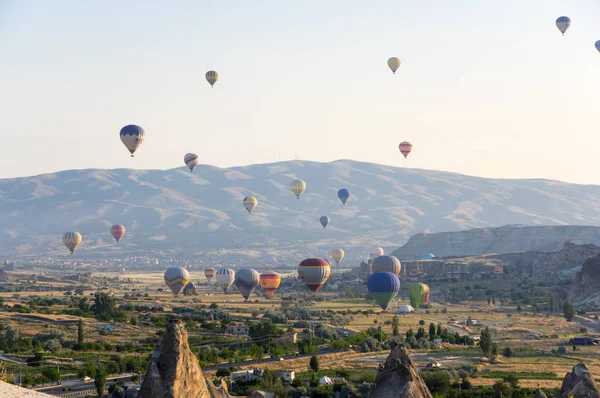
(398, 377)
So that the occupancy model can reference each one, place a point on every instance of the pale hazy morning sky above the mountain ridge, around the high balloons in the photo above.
(486, 88)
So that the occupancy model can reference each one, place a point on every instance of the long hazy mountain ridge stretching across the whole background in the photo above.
(178, 213)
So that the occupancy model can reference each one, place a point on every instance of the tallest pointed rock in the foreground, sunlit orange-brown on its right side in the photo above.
(174, 371)
